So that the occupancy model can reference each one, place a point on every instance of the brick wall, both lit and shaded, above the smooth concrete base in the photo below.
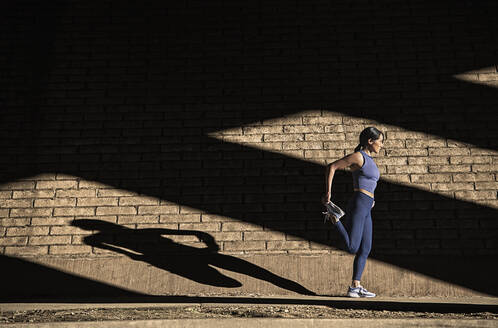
(219, 118)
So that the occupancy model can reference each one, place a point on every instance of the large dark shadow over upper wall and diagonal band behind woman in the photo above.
(125, 93)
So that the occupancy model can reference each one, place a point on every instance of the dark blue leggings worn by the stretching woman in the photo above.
(357, 230)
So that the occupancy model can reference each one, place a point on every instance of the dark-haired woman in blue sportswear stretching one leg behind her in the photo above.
(357, 227)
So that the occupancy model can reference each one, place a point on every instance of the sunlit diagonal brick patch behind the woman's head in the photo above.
(409, 158)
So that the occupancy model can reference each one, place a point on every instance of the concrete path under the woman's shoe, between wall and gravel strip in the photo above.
(447, 304)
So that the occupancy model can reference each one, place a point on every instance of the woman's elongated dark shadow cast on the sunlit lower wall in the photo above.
(197, 264)
